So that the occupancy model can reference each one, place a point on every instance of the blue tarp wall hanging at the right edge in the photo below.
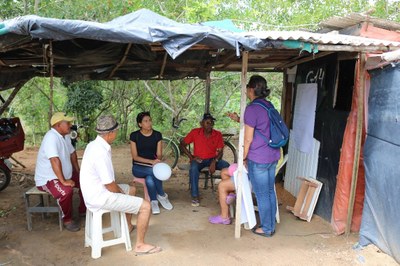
(380, 223)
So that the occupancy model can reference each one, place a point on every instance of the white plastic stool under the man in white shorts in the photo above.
(94, 231)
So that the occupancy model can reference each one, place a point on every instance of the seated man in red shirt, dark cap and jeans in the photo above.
(208, 146)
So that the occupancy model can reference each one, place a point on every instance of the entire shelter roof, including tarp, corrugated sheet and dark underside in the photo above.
(144, 45)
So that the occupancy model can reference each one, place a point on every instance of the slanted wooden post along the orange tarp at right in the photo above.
(357, 146)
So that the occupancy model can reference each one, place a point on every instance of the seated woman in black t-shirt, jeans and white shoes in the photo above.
(146, 150)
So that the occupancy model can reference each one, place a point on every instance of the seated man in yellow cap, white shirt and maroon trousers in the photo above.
(57, 168)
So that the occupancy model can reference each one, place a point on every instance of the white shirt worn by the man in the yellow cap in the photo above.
(53, 145)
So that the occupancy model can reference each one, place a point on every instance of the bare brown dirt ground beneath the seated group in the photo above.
(186, 236)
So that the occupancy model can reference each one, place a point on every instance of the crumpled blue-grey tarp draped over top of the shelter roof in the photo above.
(140, 27)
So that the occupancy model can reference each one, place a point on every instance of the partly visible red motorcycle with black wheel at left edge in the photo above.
(12, 139)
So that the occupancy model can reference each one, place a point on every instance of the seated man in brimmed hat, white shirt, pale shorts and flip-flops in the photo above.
(100, 190)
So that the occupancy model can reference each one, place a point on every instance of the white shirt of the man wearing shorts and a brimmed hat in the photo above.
(96, 172)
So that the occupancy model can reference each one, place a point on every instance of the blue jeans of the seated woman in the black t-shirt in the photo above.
(154, 186)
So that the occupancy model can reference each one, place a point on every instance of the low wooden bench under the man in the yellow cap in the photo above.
(41, 207)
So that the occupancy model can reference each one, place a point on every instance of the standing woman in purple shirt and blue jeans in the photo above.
(261, 159)
